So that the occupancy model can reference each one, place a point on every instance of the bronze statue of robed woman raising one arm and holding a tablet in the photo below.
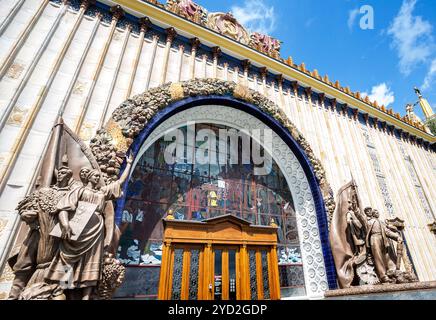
(83, 253)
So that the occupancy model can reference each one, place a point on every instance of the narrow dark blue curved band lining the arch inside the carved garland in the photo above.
(230, 101)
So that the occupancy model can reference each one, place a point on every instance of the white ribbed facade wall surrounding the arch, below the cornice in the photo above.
(88, 85)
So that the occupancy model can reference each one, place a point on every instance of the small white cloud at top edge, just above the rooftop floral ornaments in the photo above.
(256, 15)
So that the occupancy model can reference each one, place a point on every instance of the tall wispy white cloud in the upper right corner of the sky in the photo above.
(412, 37)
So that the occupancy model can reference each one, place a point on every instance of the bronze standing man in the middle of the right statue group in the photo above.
(377, 241)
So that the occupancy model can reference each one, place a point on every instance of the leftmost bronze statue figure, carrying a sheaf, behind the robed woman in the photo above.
(39, 248)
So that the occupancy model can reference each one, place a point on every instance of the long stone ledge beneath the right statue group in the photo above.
(406, 291)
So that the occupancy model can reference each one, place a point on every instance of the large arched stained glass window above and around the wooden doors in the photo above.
(190, 189)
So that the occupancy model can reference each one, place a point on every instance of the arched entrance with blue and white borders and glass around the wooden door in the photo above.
(306, 265)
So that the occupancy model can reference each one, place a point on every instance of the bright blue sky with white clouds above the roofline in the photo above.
(385, 62)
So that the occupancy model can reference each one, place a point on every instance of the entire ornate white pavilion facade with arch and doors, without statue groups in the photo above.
(122, 73)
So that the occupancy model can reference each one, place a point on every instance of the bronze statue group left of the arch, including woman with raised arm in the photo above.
(73, 263)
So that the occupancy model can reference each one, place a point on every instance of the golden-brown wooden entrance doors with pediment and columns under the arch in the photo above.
(224, 258)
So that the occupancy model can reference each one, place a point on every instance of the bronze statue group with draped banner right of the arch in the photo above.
(367, 250)
